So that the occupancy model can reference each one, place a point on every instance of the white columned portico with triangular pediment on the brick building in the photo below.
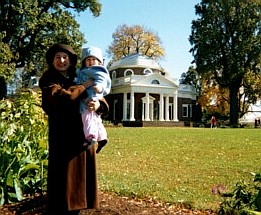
(154, 102)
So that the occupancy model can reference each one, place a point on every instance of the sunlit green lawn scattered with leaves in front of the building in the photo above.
(178, 165)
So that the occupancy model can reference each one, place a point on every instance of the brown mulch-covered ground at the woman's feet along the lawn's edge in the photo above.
(110, 204)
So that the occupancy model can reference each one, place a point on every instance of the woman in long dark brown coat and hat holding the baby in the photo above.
(72, 177)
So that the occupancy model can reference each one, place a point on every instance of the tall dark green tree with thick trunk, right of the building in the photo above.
(226, 44)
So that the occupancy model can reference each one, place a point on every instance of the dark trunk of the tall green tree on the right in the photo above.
(234, 104)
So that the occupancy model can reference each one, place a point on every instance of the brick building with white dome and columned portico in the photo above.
(141, 95)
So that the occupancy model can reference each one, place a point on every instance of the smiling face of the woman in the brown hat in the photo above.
(61, 61)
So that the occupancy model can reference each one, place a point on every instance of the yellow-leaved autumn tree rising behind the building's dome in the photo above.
(135, 39)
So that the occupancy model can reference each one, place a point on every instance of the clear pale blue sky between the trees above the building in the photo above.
(170, 19)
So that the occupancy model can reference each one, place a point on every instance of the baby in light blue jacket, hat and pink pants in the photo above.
(93, 70)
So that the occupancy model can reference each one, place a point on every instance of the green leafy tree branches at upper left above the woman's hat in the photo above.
(29, 27)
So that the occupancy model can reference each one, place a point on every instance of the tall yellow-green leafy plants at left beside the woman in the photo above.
(23, 147)
